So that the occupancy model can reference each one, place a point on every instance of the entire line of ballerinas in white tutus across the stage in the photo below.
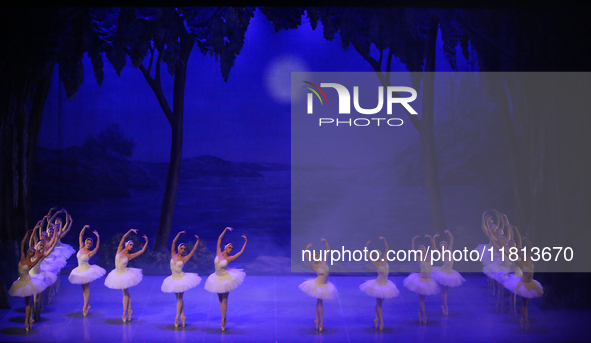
(40, 265)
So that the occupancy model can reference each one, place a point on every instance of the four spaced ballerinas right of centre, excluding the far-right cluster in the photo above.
(429, 281)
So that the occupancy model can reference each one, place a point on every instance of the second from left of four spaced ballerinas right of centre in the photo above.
(380, 288)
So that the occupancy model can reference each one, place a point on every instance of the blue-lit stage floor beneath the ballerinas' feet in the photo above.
(273, 309)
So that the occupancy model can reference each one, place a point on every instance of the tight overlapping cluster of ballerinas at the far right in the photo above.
(517, 275)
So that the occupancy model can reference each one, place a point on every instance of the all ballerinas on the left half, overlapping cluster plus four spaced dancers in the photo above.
(41, 263)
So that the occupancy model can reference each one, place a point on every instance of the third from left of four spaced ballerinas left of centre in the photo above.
(180, 282)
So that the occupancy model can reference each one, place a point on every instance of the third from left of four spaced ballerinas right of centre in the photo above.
(422, 283)
